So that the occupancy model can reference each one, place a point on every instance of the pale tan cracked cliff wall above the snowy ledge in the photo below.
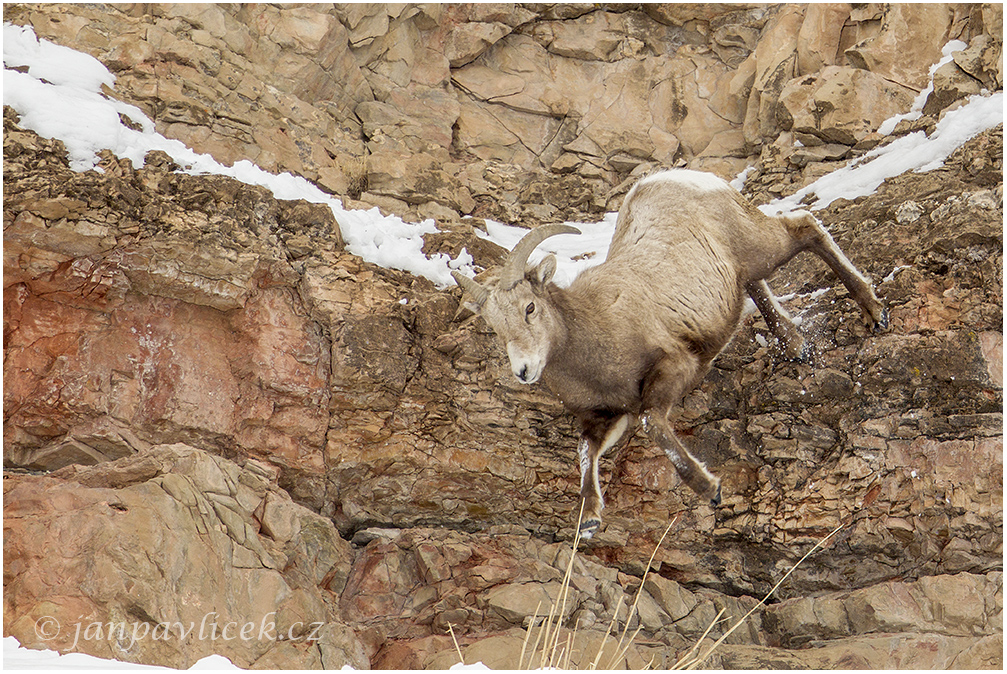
(523, 112)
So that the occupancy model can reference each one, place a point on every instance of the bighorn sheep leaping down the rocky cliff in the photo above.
(630, 338)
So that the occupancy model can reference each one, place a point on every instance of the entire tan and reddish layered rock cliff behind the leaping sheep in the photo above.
(210, 408)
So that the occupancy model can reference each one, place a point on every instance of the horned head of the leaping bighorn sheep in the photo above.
(518, 308)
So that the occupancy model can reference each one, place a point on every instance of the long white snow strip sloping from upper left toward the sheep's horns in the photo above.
(60, 96)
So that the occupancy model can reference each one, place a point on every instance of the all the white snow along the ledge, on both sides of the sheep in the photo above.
(60, 97)
